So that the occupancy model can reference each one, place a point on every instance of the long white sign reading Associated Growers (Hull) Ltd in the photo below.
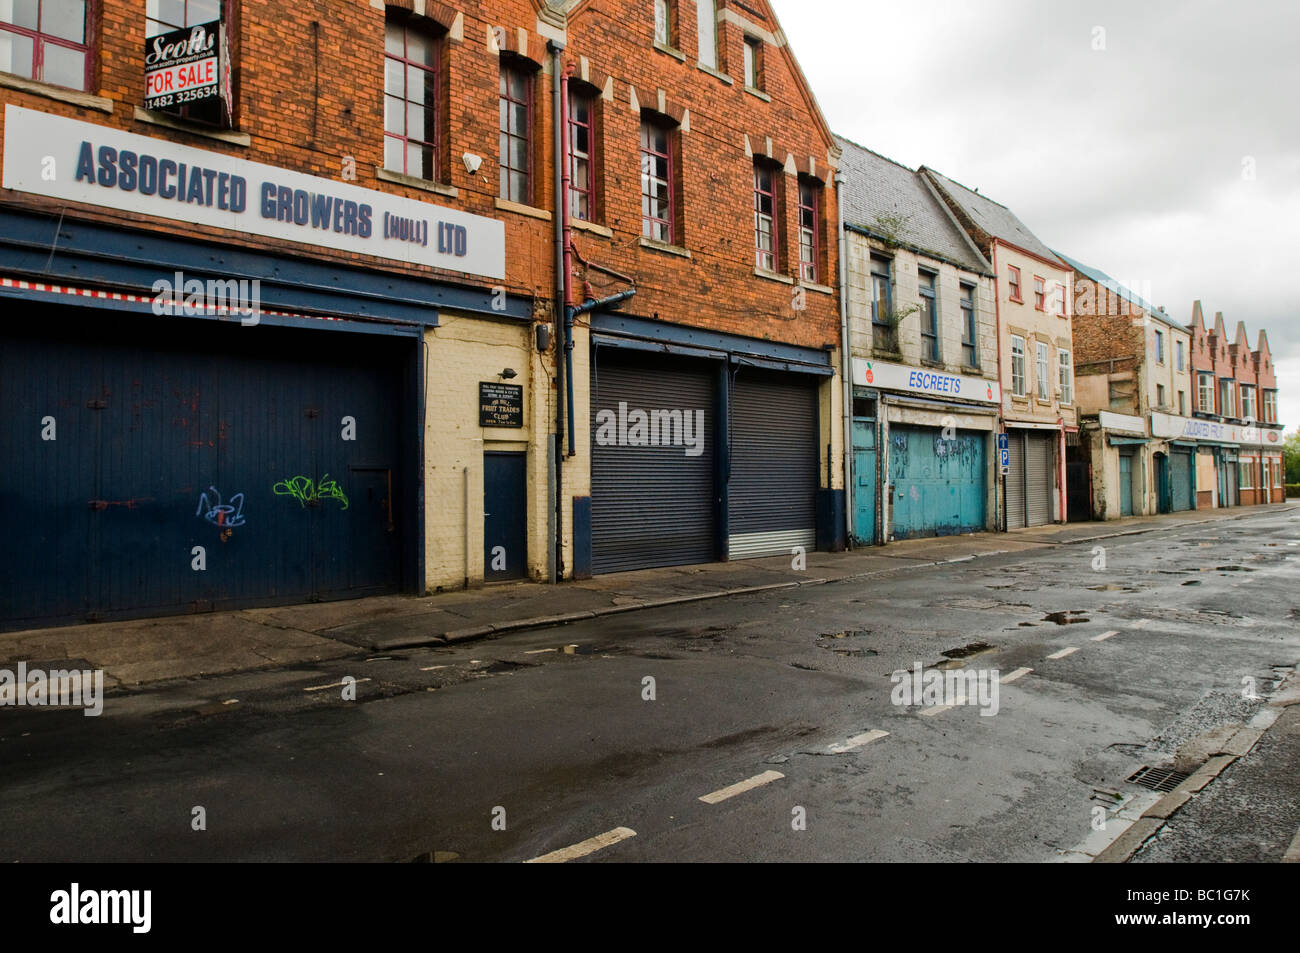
(80, 162)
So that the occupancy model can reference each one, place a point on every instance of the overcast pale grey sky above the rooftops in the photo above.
(1136, 158)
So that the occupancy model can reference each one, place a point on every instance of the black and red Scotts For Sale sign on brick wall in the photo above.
(188, 67)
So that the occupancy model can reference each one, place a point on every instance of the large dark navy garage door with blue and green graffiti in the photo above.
(194, 465)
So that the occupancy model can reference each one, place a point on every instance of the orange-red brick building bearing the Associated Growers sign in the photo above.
(285, 270)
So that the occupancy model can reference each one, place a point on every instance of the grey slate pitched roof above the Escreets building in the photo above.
(877, 188)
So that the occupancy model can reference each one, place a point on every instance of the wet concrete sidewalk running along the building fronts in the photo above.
(144, 651)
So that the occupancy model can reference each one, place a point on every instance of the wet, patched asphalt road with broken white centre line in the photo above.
(510, 750)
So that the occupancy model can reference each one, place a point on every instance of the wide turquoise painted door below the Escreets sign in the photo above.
(937, 487)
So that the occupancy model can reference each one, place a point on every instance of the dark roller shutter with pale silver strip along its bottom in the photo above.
(774, 466)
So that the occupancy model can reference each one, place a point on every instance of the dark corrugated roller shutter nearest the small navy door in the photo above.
(652, 505)
